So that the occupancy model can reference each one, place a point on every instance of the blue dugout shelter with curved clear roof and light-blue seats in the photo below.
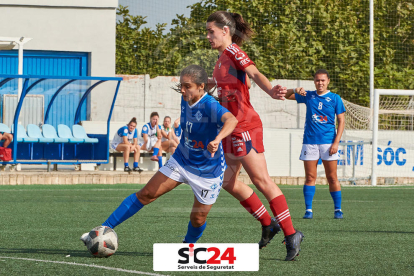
(41, 137)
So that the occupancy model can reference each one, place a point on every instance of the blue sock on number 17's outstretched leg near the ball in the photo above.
(129, 207)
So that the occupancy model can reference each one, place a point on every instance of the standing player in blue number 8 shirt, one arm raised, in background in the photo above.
(320, 139)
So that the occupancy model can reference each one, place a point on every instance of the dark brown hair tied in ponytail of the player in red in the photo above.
(240, 30)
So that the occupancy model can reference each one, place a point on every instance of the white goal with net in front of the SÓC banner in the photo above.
(396, 123)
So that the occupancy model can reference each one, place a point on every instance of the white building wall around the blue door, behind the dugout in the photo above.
(67, 25)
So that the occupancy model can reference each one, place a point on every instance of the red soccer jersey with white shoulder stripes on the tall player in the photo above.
(230, 77)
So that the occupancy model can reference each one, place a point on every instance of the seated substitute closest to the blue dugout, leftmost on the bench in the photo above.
(126, 140)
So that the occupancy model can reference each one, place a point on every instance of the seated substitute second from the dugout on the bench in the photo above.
(151, 138)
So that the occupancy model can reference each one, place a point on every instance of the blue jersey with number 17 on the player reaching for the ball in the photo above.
(200, 124)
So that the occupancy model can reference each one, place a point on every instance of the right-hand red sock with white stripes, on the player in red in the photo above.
(281, 212)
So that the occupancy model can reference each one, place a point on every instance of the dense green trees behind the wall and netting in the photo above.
(293, 39)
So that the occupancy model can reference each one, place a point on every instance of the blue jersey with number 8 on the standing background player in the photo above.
(320, 116)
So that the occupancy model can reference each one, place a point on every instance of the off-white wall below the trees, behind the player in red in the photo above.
(134, 100)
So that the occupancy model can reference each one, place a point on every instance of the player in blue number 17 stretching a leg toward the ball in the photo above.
(198, 160)
